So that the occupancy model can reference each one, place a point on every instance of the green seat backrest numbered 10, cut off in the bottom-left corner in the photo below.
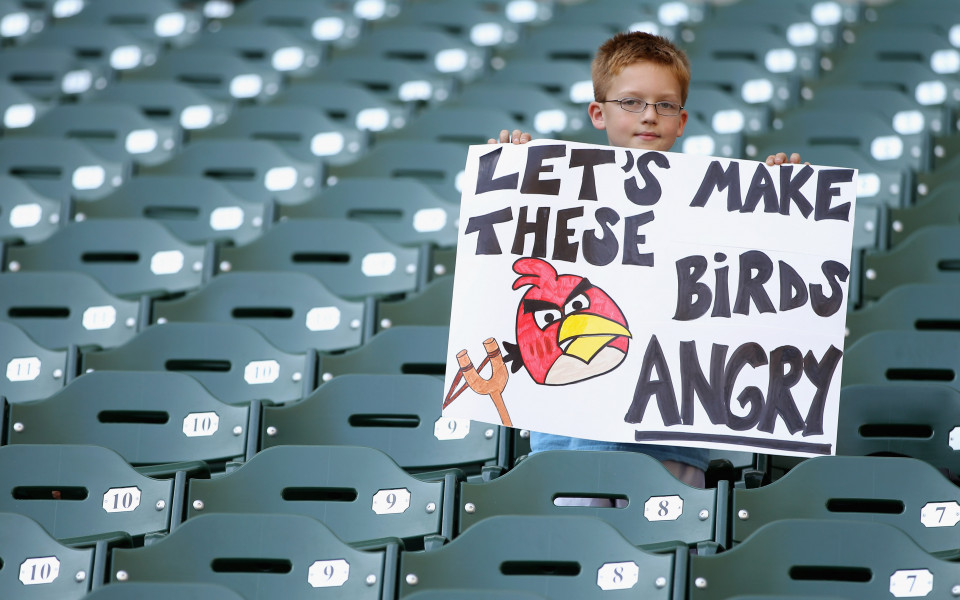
(36, 566)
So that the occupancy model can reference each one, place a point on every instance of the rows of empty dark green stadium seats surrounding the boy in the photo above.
(227, 247)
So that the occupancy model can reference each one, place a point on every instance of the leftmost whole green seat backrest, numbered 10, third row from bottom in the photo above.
(148, 418)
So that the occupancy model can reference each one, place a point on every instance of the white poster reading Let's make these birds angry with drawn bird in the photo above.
(633, 296)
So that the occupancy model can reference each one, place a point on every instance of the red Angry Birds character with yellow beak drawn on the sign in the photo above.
(568, 329)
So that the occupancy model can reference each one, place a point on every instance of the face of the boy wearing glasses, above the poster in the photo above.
(647, 130)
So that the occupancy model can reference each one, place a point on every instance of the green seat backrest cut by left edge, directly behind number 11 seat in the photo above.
(88, 316)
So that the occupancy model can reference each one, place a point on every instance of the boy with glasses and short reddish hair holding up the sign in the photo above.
(640, 85)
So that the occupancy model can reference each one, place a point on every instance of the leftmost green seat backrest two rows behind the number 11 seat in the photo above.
(130, 257)
